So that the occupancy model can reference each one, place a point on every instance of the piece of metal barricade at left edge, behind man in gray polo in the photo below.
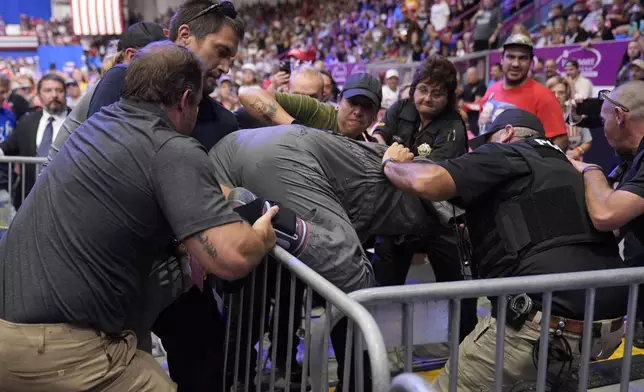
(20, 174)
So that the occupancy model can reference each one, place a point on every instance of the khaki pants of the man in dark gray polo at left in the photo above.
(61, 357)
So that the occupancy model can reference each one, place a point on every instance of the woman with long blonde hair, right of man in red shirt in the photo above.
(579, 139)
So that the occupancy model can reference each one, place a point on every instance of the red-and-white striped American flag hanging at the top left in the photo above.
(97, 17)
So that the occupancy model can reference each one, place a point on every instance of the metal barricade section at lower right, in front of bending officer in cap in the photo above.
(422, 311)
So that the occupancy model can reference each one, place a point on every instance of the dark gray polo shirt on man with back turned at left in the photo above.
(85, 238)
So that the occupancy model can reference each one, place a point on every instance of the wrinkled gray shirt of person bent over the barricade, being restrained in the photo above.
(331, 181)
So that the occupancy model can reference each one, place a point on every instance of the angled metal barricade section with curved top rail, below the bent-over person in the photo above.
(255, 308)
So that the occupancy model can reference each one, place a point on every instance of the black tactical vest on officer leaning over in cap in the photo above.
(549, 212)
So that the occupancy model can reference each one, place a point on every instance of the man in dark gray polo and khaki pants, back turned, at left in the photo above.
(73, 261)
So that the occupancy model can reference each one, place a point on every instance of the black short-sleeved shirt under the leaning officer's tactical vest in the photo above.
(495, 172)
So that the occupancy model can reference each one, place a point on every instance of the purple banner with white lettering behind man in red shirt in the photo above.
(599, 63)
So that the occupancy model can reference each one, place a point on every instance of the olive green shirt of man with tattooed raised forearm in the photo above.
(309, 111)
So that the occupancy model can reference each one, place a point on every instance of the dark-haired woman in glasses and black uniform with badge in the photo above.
(428, 124)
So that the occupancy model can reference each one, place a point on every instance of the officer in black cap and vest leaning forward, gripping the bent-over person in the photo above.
(526, 215)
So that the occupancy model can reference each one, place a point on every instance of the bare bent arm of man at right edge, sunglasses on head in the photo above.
(609, 209)
